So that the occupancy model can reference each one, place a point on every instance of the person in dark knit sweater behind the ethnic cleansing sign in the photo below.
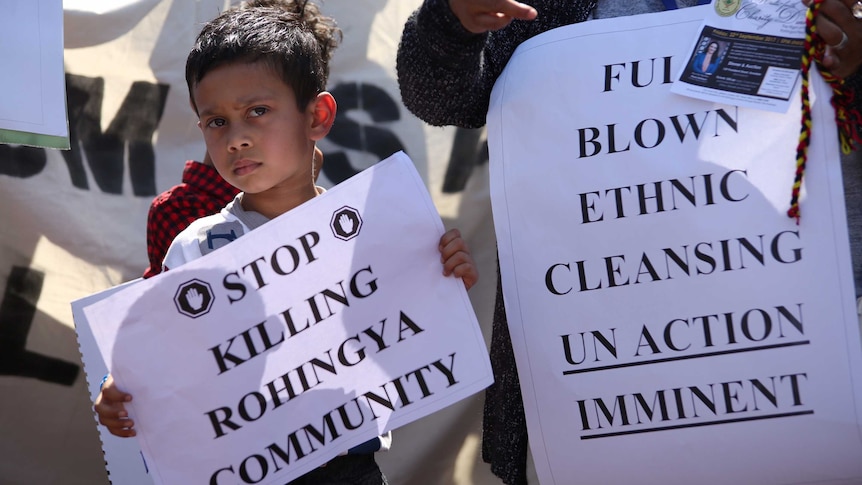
(450, 55)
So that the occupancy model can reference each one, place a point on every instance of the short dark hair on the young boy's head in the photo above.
(290, 36)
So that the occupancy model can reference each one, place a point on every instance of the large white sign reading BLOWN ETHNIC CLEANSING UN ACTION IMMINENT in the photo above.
(671, 324)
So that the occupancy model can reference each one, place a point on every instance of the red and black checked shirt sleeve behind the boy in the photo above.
(202, 192)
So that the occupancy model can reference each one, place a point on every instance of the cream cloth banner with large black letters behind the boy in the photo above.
(73, 222)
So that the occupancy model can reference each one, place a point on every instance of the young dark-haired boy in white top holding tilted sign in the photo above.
(256, 80)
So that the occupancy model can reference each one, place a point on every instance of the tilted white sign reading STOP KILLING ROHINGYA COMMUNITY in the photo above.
(310, 335)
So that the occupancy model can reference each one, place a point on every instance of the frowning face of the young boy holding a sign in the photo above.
(258, 139)
